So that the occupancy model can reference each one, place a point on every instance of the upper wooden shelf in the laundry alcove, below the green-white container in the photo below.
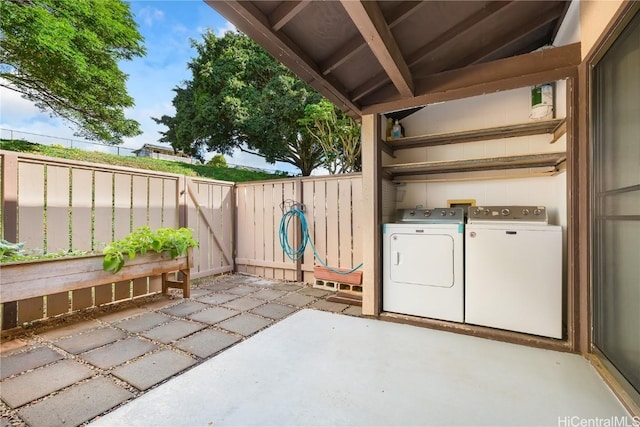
(557, 127)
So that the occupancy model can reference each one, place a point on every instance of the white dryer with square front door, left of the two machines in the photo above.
(423, 265)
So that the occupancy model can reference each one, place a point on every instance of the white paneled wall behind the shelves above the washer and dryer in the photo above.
(496, 109)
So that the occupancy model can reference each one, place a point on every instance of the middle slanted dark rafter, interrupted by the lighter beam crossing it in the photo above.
(435, 45)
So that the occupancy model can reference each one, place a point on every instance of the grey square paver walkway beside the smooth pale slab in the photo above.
(70, 374)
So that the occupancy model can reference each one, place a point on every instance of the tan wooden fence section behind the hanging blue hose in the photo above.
(332, 208)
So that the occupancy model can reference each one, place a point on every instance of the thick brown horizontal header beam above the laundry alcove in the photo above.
(500, 75)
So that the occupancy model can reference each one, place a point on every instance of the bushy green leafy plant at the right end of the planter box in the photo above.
(142, 240)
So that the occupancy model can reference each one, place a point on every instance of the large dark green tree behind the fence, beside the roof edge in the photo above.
(240, 97)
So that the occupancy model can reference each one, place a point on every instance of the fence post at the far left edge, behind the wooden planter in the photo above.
(10, 223)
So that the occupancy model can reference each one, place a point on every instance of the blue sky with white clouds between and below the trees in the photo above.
(167, 26)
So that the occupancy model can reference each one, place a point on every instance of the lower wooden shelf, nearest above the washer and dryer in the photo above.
(553, 160)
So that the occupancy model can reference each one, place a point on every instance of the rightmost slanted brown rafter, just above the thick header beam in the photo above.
(530, 25)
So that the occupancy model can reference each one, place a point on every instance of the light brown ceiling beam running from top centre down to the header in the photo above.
(369, 20)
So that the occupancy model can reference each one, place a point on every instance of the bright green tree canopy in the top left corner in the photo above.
(63, 56)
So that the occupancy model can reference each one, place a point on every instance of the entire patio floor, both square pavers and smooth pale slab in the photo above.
(248, 351)
